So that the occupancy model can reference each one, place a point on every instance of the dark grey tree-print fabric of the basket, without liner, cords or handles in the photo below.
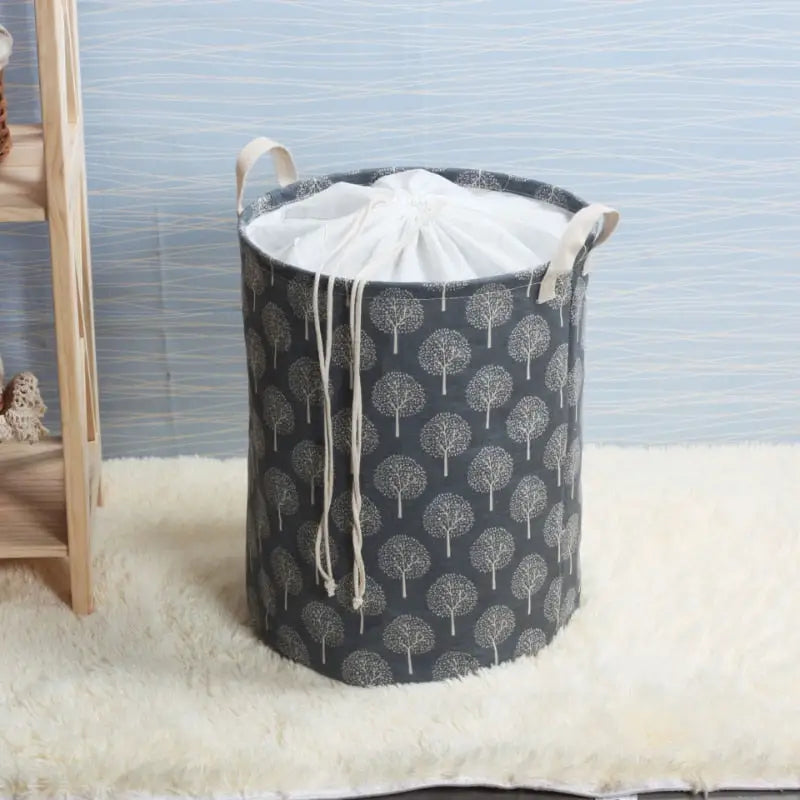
(506, 411)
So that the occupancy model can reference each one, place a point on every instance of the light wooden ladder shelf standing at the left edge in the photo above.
(49, 491)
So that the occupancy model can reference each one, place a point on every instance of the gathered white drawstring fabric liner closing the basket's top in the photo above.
(425, 228)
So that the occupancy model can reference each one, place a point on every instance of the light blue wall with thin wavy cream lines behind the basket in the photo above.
(685, 115)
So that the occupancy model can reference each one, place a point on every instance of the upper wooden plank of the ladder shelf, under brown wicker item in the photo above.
(23, 191)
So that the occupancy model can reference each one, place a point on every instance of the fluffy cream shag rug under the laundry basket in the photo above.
(680, 671)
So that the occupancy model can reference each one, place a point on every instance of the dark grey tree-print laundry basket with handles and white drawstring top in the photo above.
(414, 342)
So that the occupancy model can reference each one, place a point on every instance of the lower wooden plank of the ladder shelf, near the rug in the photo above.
(33, 517)
